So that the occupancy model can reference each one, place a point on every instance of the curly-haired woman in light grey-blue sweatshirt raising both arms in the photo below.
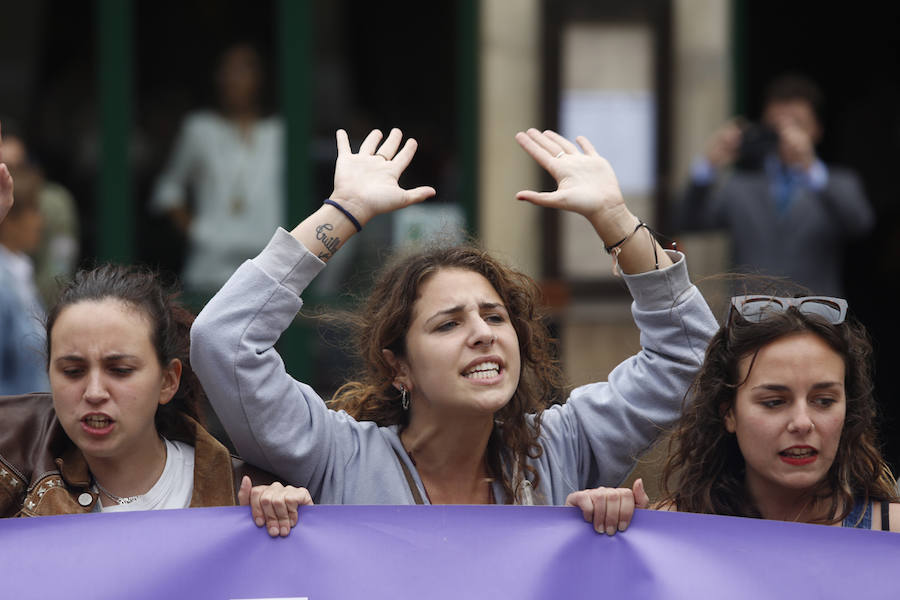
(454, 403)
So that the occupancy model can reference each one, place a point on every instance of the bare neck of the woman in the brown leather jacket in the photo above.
(131, 475)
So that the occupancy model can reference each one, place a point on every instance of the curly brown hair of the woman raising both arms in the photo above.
(384, 320)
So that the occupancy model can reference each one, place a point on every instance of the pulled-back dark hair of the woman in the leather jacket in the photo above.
(170, 327)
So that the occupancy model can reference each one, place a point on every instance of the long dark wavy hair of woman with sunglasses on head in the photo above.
(704, 472)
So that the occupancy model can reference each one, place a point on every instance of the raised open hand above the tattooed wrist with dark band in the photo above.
(367, 183)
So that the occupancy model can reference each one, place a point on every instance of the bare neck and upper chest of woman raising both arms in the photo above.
(451, 459)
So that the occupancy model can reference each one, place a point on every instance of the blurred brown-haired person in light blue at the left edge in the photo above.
(21, 310)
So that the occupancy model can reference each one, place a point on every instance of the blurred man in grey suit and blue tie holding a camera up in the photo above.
(787, 212)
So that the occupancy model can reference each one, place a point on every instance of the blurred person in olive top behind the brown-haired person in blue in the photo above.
(56, 255)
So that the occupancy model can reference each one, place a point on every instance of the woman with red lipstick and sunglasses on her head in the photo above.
(781, 422)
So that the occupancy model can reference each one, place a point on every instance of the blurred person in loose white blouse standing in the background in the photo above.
(229, 163)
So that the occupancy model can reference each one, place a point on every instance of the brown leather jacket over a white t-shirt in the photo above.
(43, 473)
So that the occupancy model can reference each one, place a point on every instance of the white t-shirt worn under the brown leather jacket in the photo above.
(174, 487)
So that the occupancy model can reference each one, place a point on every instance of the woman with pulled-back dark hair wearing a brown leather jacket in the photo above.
(120, 429)
